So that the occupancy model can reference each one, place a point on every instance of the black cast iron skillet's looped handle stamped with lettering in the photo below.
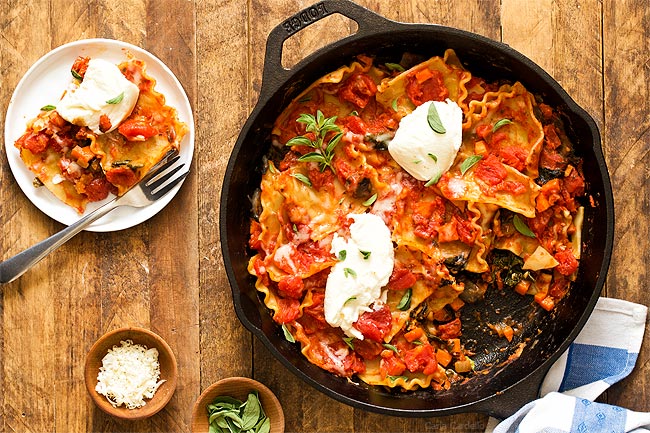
(274, 73)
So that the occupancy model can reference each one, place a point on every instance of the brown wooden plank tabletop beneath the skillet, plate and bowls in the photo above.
(167, 273)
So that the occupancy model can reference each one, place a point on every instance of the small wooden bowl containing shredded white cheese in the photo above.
(168, 371)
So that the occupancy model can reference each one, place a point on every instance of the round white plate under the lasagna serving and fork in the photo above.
(44, 84)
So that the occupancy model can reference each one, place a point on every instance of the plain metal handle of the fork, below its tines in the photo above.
(17, 265)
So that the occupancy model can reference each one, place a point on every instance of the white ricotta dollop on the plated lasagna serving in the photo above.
(104, 90)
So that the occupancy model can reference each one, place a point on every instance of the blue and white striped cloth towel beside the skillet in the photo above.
(602, 354)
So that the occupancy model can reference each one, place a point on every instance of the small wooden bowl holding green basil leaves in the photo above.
(237, 387)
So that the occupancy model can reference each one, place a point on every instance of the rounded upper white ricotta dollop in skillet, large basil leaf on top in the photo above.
(422, 152)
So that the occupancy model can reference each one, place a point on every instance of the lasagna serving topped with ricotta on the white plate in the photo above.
(109, 128)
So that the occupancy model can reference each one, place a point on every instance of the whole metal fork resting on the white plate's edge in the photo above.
(153, 186)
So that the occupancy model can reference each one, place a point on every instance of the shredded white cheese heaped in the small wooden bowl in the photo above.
(129, 374)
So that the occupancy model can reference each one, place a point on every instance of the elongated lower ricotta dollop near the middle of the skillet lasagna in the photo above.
(364, 267)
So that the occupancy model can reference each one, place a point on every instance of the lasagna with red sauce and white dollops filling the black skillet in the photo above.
(395, 194)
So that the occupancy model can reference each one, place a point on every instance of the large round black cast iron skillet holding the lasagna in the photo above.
(507, 386)
